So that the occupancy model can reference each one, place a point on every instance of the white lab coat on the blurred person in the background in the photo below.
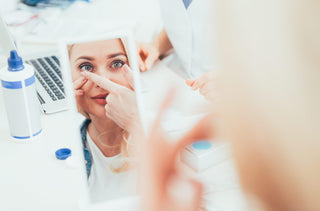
(192, 34)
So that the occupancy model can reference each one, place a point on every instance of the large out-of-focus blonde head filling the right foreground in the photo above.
(270, 53)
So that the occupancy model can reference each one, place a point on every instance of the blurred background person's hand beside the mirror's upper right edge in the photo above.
(148, 54)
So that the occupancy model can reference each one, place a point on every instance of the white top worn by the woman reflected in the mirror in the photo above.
(104, 184)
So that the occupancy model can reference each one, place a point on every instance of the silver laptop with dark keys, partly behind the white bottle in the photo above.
(49, 83)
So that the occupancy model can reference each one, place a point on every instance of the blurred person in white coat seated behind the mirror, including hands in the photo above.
(189, 32)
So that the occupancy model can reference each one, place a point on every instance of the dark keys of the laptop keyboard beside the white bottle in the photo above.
(48, 73)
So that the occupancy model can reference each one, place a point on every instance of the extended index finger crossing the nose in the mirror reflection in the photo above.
(103, 82)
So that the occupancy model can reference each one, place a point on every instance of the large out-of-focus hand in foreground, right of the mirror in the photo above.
(163, 186)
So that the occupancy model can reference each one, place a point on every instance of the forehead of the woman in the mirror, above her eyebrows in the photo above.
(103, 47)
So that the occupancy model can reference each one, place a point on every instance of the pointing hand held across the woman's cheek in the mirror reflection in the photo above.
(121, 104)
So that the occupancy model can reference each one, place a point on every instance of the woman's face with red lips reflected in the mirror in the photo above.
(104, 58)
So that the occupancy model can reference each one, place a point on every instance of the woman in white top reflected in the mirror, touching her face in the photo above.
(104, 135)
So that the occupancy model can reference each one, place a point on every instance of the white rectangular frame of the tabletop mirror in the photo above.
(125, 203)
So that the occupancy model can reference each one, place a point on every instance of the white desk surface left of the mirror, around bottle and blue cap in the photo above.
(31, 177)
